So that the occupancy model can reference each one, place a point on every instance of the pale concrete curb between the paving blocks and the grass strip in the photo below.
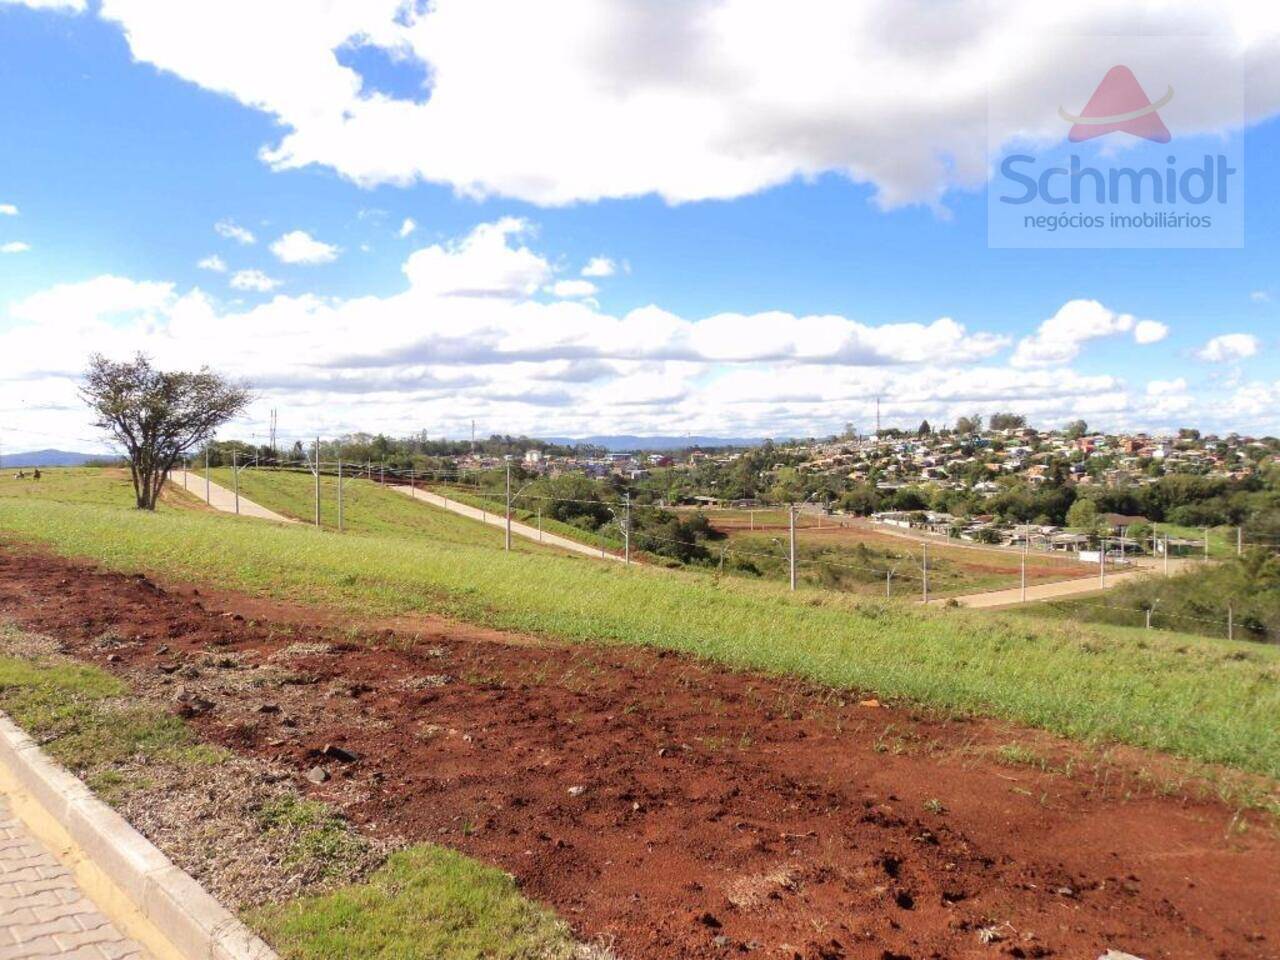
(124, 867)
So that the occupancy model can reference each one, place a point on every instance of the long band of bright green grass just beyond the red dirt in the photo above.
(1209, 701)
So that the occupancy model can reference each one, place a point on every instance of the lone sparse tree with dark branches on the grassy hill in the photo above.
(157, 415)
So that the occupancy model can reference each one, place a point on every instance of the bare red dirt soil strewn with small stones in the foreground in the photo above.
(670, 808)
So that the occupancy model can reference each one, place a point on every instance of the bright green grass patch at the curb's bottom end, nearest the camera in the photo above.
(427, 903)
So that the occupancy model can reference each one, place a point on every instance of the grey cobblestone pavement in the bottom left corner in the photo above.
(43, 913)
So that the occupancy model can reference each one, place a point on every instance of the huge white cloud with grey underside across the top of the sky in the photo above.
(579, 100)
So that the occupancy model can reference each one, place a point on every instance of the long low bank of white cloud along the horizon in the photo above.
(469, 335)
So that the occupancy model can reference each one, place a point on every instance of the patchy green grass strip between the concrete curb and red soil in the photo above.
(426, 903)
